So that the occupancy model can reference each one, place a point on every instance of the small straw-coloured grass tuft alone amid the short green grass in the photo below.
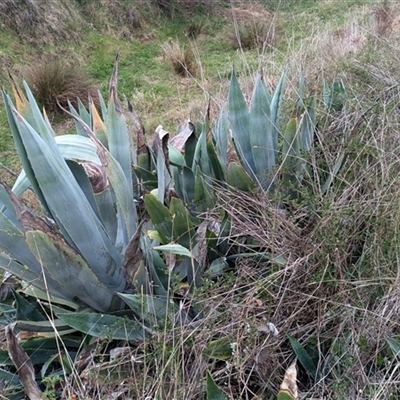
(181, 58)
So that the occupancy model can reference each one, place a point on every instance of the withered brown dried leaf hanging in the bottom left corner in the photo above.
(23, 363)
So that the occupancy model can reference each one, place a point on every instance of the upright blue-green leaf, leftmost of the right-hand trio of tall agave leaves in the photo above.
(240, 122)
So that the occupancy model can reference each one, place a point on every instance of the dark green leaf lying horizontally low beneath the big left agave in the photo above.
(104, 326)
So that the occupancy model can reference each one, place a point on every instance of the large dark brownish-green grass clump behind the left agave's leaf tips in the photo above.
(54, 80)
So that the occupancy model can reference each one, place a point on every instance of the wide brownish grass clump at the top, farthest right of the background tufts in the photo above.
(254, 34)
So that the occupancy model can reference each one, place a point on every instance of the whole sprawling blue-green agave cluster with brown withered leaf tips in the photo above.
(110, 208)
